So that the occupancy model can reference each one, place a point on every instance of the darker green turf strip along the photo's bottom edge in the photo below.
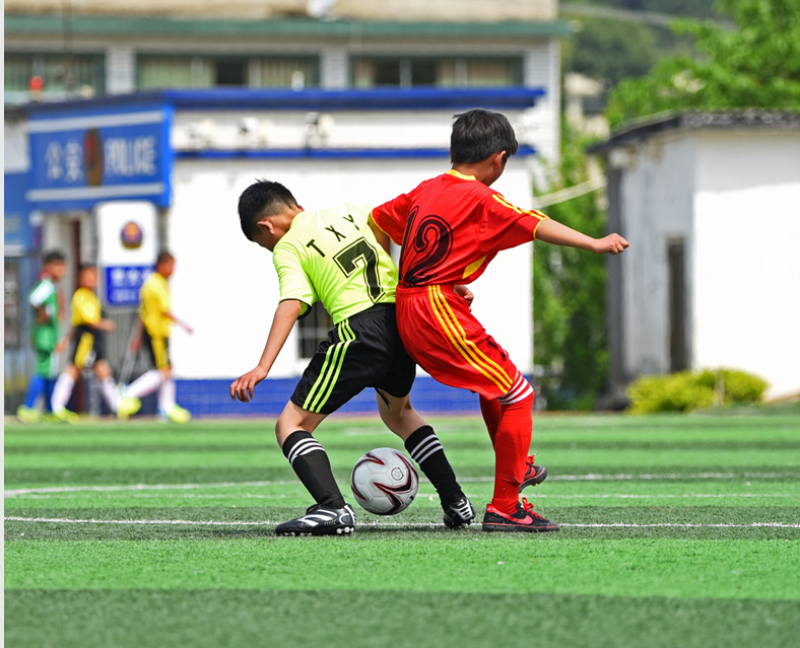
(367, 619)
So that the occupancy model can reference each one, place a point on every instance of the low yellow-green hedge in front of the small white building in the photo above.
(686, 390)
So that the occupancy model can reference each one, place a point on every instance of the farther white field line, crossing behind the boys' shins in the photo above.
(590, 477)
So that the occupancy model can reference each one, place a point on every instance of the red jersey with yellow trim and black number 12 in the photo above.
(451, 227)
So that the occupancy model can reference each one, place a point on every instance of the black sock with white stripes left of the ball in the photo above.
(310, 461)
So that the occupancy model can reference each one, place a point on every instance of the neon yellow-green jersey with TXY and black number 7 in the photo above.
(333, 256)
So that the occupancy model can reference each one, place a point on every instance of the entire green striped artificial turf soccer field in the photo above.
(676, 531)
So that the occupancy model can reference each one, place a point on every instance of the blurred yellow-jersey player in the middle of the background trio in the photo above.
(88, 329)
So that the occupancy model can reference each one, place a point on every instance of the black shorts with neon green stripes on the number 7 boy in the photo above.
(364, 350)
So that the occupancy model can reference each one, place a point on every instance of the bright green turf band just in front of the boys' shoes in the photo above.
(753, 569)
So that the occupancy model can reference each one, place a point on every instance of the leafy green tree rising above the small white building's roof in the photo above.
(755, 65)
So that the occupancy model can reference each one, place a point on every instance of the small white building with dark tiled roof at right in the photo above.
(710, 202)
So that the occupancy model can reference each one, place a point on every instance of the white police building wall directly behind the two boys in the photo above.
(226, 288)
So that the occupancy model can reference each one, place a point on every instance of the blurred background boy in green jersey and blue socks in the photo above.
(47, 300)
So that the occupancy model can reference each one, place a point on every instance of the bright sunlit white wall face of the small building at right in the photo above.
(747, 256)
